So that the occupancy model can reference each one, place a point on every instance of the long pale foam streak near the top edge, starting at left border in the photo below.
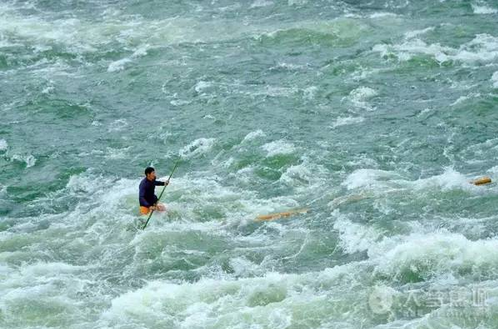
(94, 35)
